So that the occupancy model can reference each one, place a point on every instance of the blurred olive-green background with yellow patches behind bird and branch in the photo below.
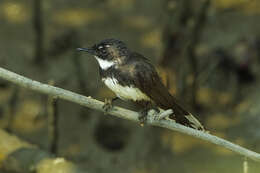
(207, 52)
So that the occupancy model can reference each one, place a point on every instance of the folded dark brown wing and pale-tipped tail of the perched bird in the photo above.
(149, 82)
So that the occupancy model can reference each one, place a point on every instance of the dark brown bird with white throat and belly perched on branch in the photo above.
(132, 77)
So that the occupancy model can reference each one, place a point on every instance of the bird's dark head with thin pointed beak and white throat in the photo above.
(109, 52)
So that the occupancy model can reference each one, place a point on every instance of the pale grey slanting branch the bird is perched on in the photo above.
(122, 113)
